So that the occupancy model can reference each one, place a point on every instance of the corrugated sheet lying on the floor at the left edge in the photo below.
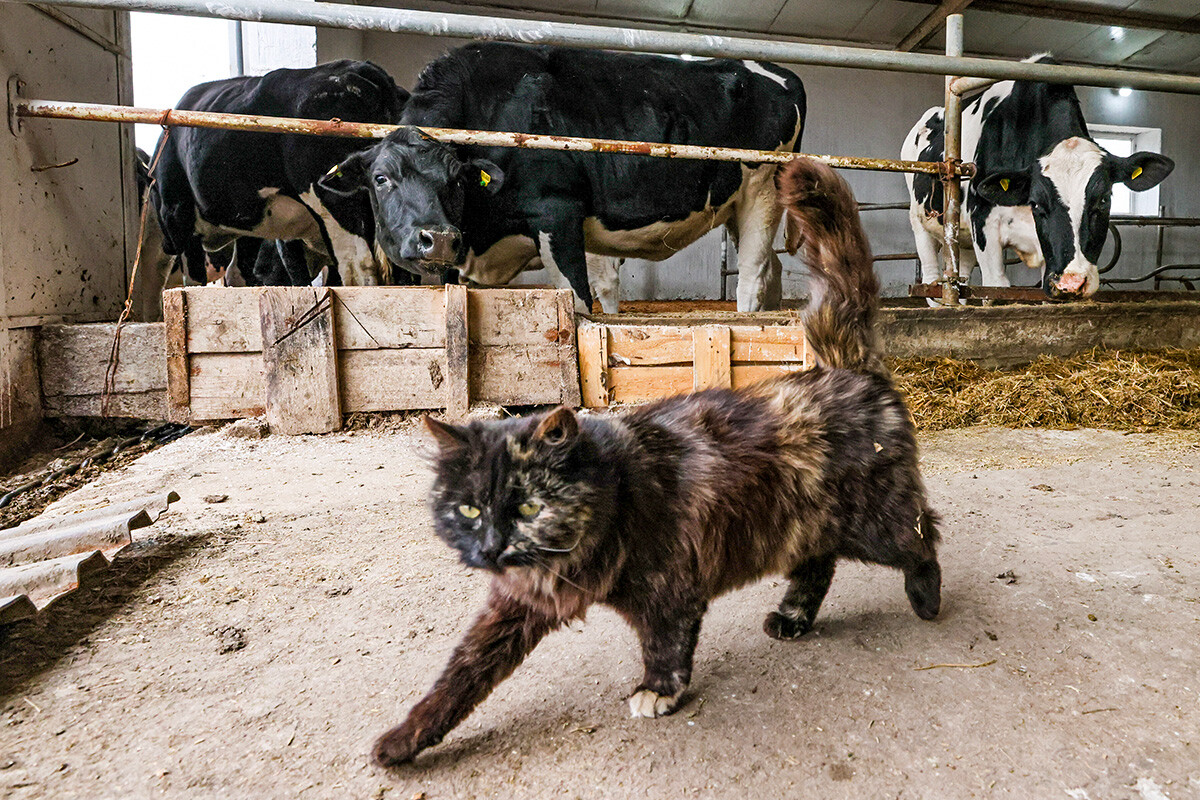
(47, 557)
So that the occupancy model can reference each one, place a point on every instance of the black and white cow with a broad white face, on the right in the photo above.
(1043, 187)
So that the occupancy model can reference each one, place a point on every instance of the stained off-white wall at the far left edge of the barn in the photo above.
(67, 234)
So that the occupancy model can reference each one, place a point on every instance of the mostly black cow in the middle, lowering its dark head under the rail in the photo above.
(493, 213)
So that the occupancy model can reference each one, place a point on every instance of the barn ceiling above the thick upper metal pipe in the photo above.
(1162, 35)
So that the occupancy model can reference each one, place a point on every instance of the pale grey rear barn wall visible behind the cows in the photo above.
(857, 113)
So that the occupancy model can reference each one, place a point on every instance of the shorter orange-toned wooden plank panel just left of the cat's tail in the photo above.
(647, 359)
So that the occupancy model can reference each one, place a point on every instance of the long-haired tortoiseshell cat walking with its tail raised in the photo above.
(658, 512)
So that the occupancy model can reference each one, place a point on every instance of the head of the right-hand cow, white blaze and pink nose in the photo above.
(1070, 193)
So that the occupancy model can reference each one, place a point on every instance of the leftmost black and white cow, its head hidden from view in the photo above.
(214, 187)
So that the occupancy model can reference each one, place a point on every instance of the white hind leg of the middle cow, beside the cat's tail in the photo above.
(757, 215)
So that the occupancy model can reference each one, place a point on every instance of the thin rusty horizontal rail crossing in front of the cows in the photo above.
(104, 113)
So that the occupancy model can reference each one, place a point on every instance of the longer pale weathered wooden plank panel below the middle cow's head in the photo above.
(305, 357)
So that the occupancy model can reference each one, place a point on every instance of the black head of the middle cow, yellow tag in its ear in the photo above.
(418, 188)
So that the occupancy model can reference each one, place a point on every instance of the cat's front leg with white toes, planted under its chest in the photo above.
(669, 635)
